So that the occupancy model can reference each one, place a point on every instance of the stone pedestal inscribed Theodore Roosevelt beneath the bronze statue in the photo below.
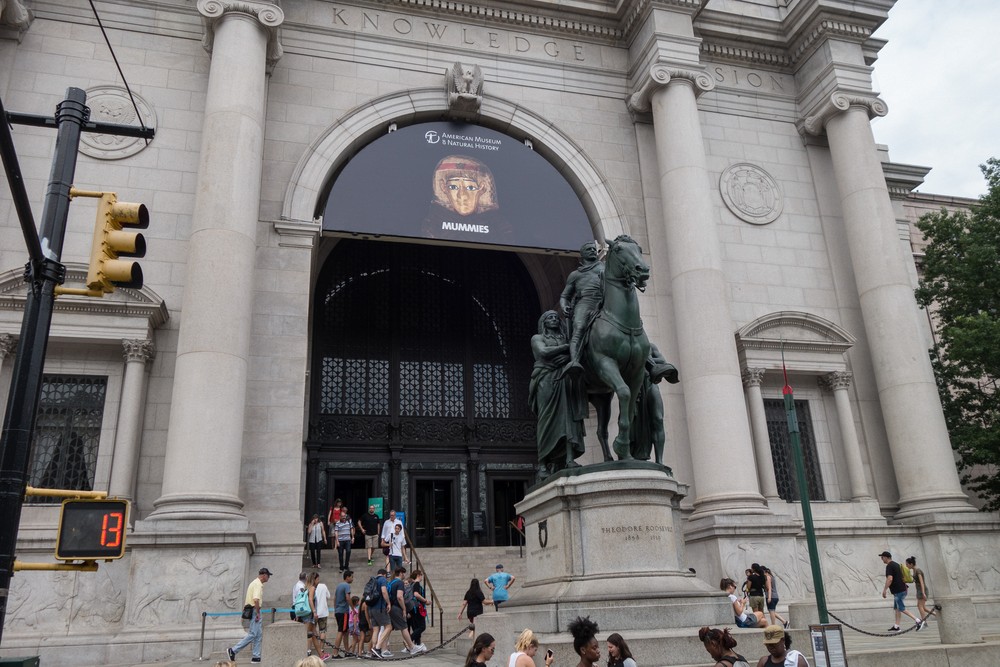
(603, 541)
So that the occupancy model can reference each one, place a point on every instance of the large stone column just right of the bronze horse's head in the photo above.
(713, 392)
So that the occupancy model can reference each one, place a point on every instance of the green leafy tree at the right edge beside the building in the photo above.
(961, 287)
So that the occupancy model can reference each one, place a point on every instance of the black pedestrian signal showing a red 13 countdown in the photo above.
(92, 530)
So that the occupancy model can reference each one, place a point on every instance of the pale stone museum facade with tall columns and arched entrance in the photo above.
(275, 359)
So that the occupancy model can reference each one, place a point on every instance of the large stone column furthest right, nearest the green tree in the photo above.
(918, 438)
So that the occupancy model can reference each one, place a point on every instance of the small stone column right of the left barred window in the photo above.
(128, 432)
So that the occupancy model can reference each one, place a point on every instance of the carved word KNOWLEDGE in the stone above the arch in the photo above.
(455, 34)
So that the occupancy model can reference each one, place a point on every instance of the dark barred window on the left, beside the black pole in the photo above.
(67, 433)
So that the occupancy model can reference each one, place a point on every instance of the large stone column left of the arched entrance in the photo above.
(201, 477)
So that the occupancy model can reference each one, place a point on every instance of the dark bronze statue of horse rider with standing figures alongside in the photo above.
(606, 355)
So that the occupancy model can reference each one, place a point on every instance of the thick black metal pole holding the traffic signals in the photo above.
(26, 384)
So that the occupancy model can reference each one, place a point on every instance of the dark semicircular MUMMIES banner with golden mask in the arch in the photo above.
(457, 183)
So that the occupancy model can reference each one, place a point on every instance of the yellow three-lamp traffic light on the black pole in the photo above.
(112, 241)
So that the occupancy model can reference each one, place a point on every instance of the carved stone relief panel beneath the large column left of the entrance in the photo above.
(184, 586)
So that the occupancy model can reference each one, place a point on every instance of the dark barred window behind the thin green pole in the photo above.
(781, 450)
